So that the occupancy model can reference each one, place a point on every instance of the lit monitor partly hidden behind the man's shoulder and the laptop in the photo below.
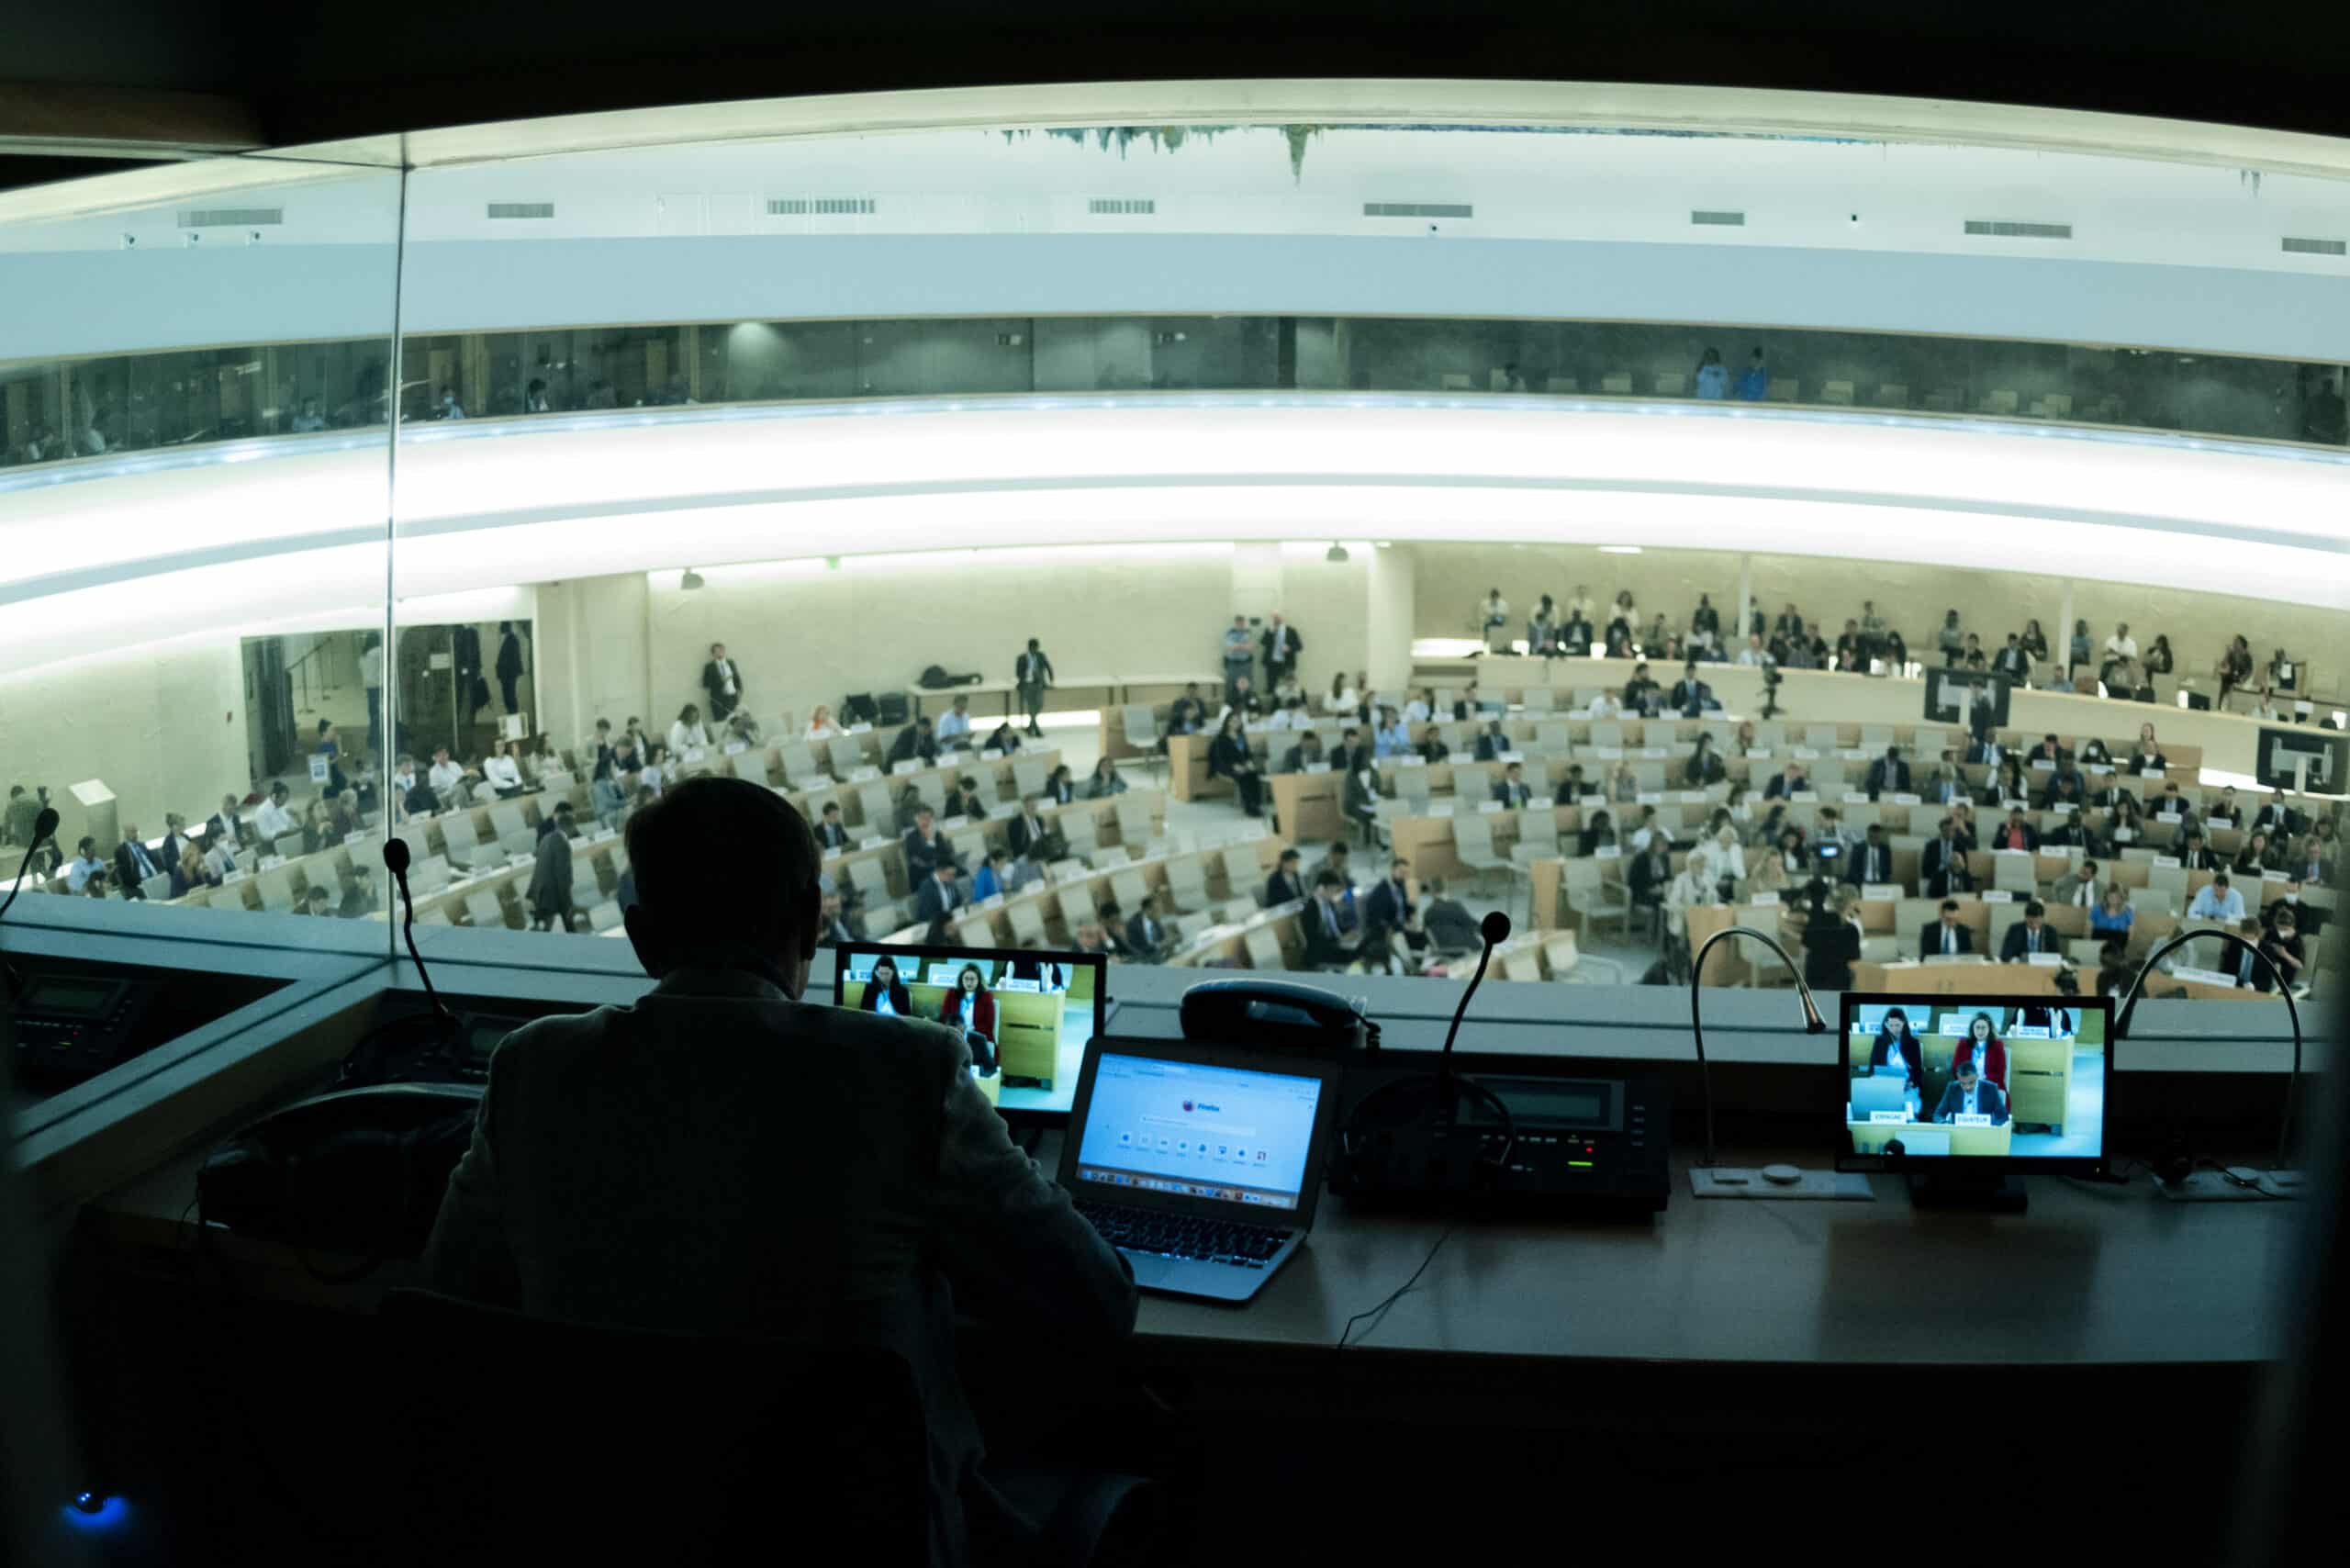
(1026, 1014)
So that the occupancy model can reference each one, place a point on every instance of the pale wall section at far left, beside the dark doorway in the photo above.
(163, 728)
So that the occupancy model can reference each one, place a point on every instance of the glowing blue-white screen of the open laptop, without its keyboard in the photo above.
(1200, 1132)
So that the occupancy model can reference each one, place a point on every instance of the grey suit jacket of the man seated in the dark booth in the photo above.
(666, 1167)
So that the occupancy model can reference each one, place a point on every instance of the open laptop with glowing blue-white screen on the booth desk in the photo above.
(1200, 1162)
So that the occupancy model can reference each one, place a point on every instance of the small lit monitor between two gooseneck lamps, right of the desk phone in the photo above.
(1996, 1085)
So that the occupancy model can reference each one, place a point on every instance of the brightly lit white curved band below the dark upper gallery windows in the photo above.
(116, 563)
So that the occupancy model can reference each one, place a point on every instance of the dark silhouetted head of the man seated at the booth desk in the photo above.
(753, 909)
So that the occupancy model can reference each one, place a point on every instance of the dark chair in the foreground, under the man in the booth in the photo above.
(516, 1456)
